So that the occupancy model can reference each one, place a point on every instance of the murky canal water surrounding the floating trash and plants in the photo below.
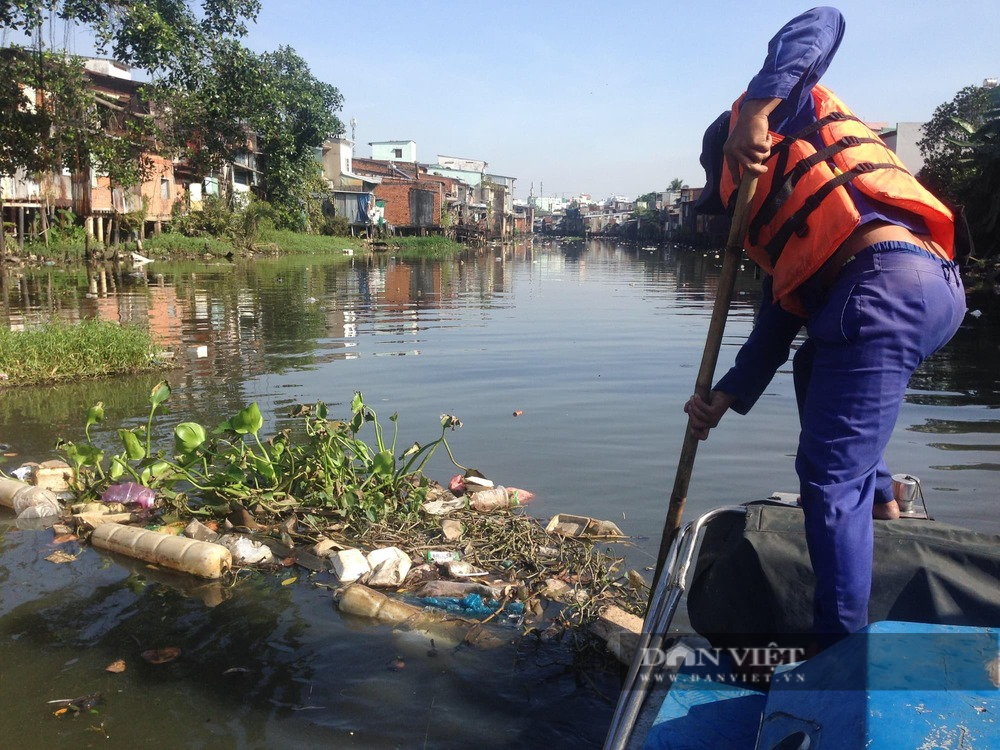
(594, 345)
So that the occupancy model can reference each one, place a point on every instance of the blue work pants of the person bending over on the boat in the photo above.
(890, 307)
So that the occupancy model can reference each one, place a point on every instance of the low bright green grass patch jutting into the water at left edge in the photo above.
(59, 352)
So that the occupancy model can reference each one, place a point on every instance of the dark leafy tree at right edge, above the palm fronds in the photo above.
(945, 141)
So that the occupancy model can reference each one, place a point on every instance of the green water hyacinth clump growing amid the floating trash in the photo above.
(327, 464)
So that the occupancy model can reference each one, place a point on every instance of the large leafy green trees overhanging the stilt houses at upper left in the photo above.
(208, 95)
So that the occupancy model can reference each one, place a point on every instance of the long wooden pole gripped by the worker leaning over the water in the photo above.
(713, 343)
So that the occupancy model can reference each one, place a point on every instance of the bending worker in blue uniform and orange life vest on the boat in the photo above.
(879, 302)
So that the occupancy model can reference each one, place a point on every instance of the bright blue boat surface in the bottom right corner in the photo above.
(895, 685)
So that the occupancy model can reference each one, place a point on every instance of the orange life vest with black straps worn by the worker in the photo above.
(802, 211)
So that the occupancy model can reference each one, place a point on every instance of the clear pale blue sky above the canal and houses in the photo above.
(605, 97)
